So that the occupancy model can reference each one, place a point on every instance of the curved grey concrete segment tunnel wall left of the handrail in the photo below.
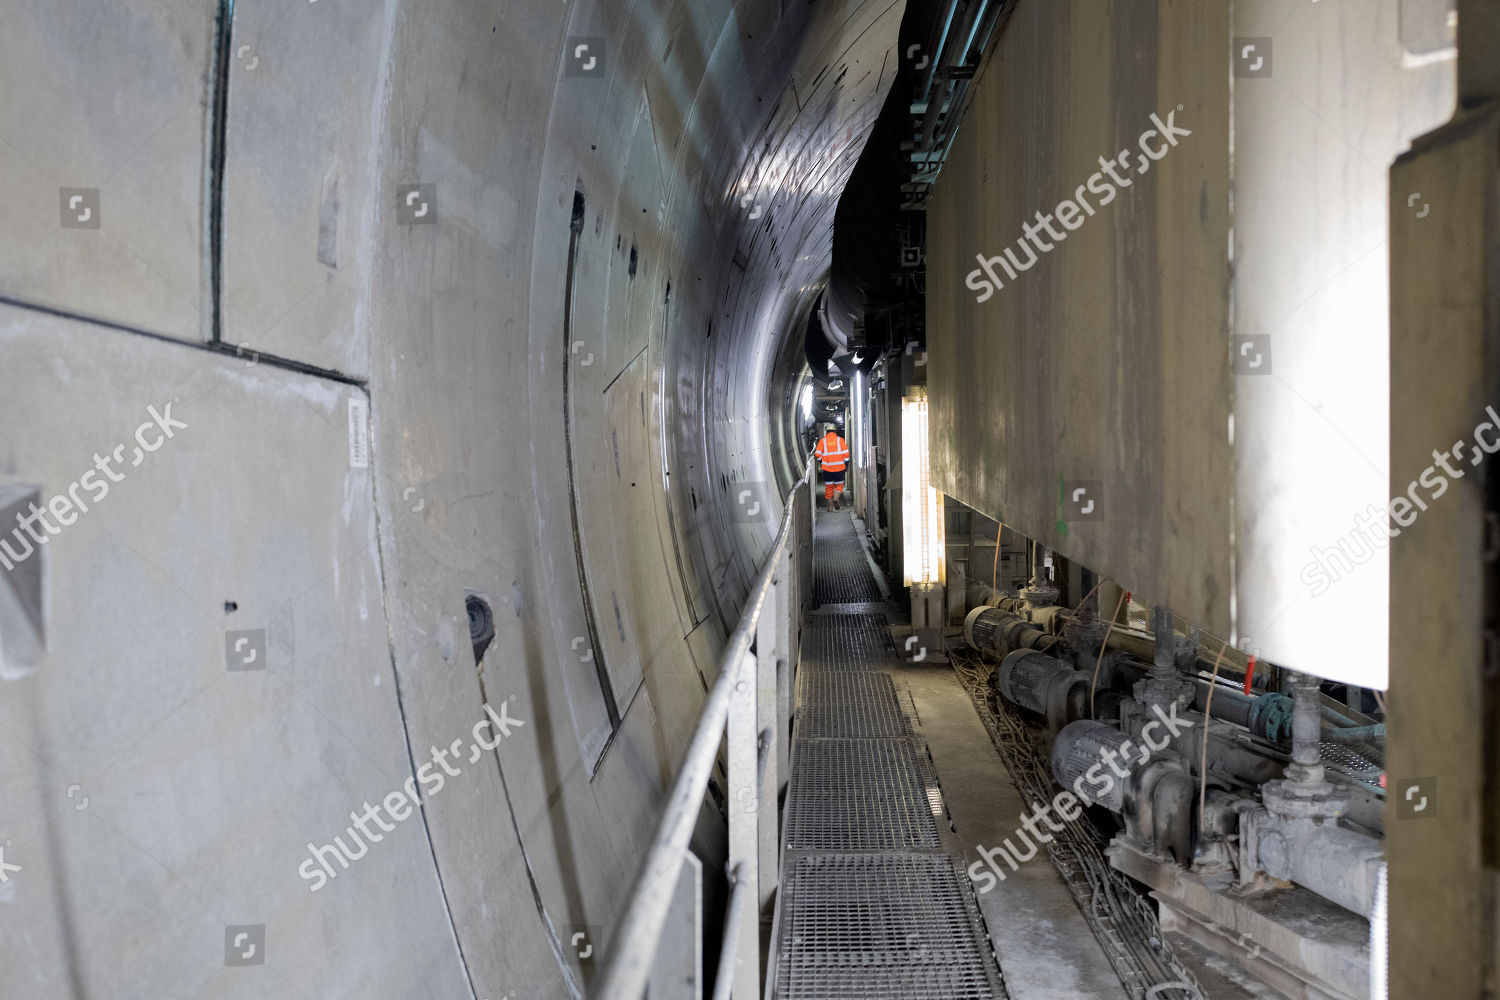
(404, 379)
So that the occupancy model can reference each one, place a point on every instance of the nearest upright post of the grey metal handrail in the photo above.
(745, 809)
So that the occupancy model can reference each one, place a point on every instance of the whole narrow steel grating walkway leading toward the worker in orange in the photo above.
(872, 906)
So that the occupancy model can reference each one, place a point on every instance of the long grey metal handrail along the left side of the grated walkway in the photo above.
(634, 950)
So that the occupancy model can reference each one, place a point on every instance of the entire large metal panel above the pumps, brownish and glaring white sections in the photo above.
(1187, 403)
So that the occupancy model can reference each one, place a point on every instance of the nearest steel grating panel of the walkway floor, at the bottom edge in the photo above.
(875, 927)
